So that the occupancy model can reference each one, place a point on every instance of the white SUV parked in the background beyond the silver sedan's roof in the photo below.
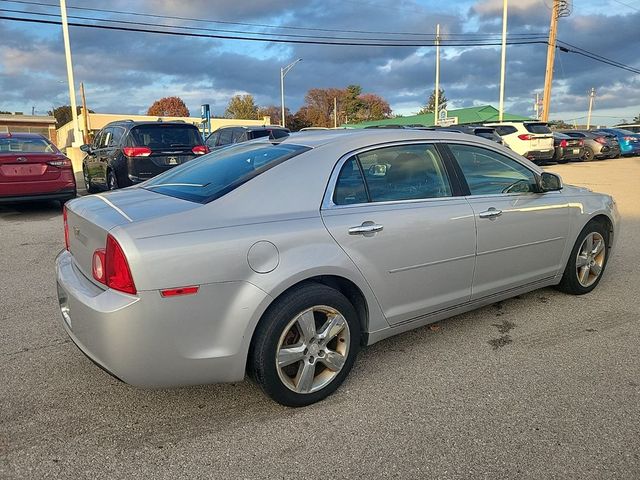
(533, 140)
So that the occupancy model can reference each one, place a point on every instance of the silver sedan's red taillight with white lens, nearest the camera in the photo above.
(110, 267)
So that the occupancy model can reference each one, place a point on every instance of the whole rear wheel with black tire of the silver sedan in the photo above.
(305, 345)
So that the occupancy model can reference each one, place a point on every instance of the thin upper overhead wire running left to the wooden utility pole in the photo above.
(259, 25)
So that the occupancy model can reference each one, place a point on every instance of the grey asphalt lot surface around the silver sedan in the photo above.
(541, 386)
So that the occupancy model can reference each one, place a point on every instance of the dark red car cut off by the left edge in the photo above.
(32, 168)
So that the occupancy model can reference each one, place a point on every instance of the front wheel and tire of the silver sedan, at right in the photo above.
(587, 260)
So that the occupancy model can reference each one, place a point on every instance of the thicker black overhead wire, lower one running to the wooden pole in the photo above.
(268, 40)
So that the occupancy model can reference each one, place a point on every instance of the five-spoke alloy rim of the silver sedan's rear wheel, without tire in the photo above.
(312, 349)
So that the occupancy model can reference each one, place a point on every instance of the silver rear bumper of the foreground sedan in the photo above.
(150, 341)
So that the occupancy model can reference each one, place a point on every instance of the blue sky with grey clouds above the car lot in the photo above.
(124, 72)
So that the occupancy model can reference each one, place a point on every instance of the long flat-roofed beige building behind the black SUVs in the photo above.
(96, 121)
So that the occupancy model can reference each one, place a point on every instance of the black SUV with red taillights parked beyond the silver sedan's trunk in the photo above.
(125, 152)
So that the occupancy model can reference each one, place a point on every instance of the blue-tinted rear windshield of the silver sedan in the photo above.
(209, 177)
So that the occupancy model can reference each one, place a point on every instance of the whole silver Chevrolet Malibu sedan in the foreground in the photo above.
(282, 258)
